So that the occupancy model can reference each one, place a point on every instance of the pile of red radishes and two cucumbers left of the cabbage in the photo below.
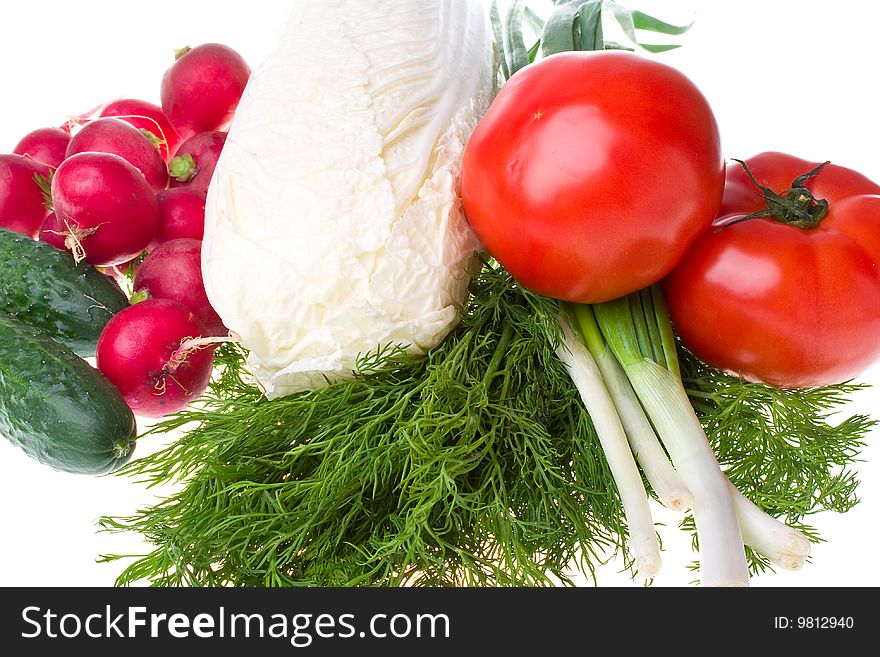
(114, 196)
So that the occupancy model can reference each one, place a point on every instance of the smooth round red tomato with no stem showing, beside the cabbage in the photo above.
(592, 173)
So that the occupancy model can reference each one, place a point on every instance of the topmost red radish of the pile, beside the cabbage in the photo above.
(201, 90)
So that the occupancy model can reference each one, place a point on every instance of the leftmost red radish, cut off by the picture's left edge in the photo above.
(22, 205)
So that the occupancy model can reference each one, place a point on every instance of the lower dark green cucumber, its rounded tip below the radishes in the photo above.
(56, 407)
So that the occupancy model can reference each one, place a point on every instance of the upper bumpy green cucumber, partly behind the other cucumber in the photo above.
(44, 287)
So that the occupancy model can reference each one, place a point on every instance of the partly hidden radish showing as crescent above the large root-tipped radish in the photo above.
(123, 139)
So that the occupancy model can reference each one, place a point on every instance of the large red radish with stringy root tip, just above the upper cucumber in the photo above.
(107, 208)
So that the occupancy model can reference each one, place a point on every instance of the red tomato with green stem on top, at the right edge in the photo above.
(775, 300)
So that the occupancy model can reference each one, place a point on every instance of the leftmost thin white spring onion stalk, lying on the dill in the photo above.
(584, 372)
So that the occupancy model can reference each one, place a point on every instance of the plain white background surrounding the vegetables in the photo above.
(781, 75)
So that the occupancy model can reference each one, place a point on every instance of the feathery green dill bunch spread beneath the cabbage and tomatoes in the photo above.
(475, 465)
